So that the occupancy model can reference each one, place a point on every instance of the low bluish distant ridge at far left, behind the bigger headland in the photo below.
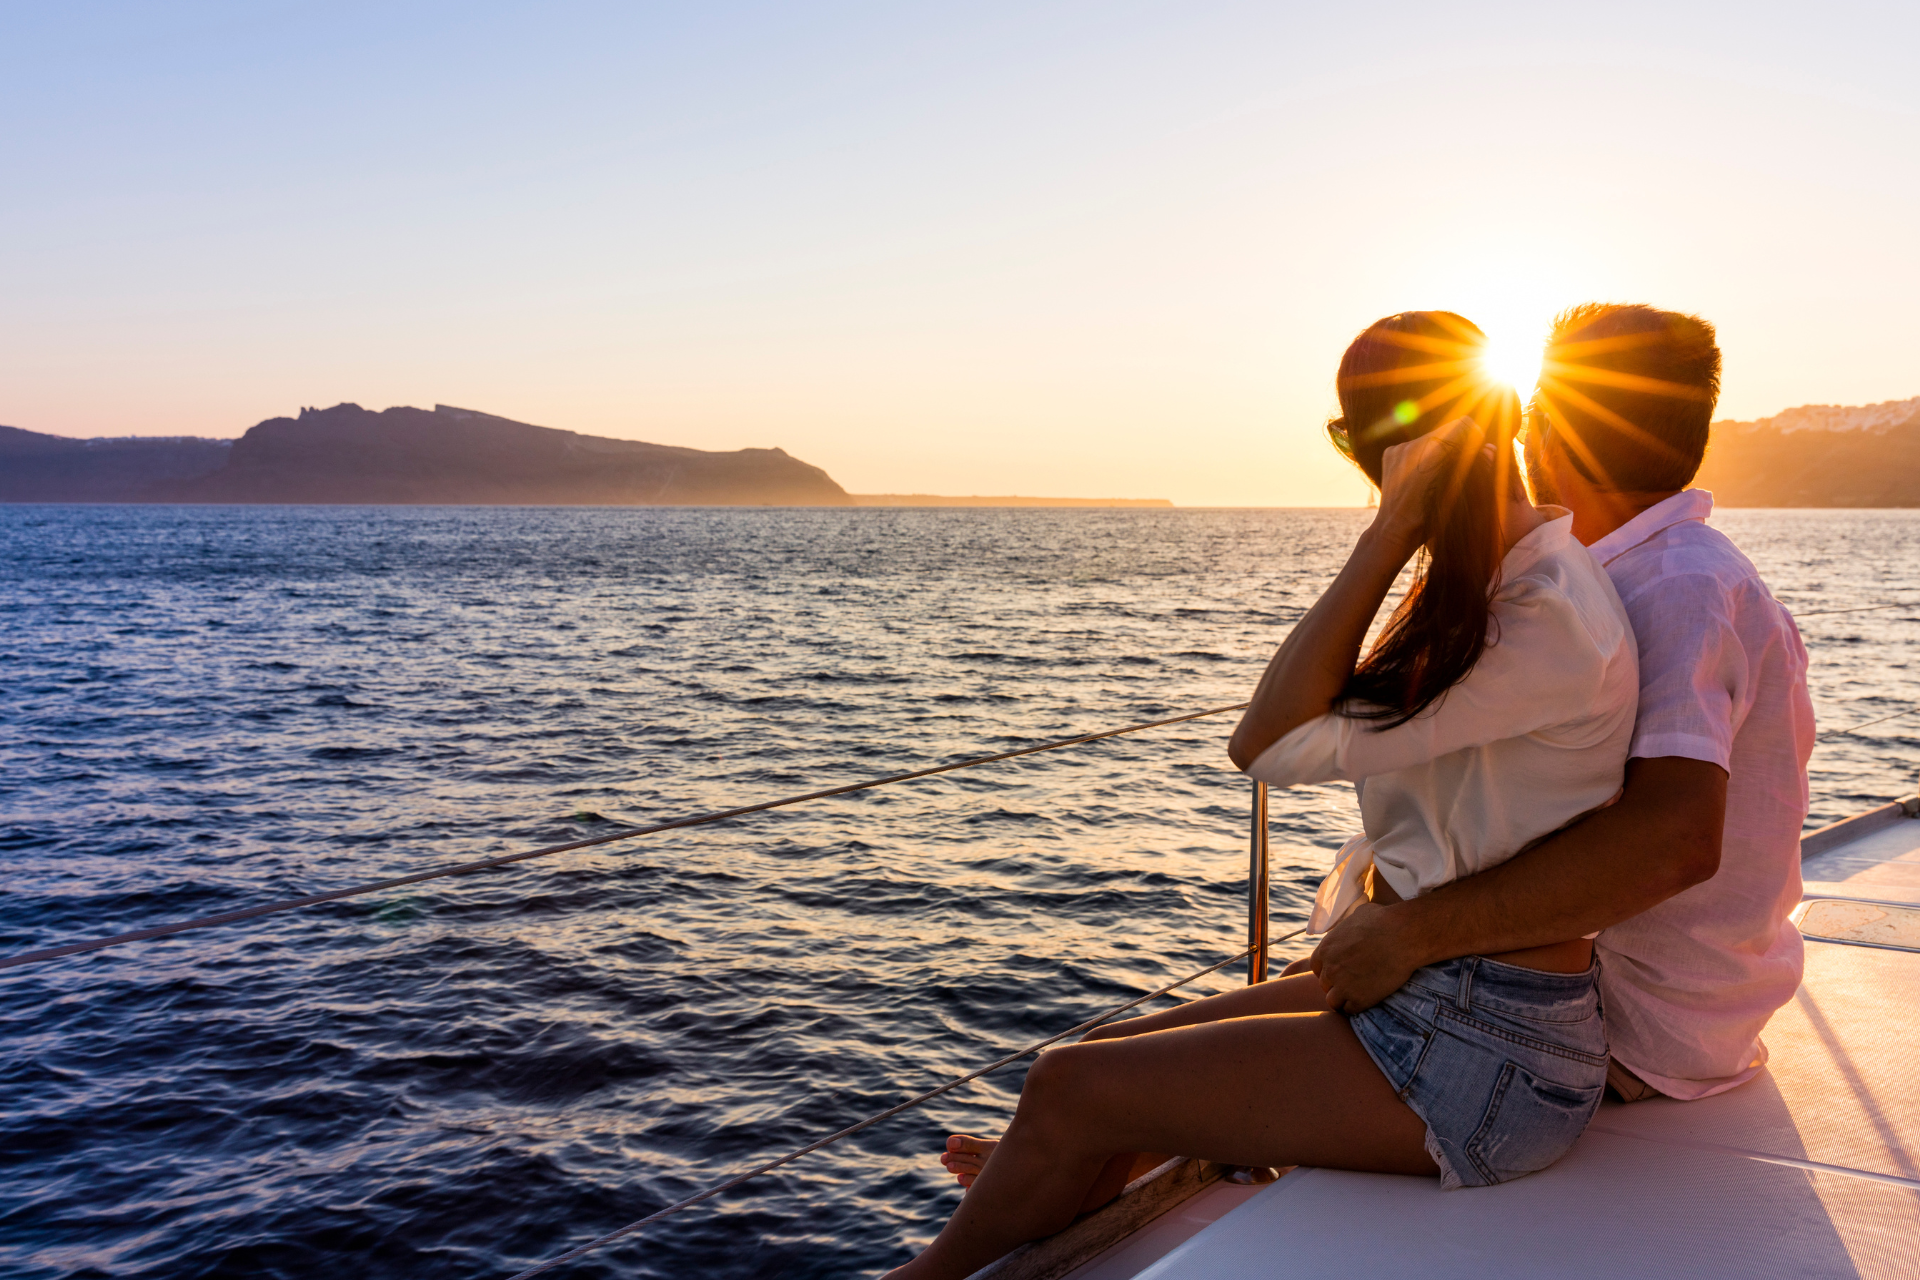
(57, 469)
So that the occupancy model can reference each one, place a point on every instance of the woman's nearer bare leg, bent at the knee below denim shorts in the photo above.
(1278, 1089)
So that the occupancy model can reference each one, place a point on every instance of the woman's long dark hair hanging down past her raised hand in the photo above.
(1399, 381)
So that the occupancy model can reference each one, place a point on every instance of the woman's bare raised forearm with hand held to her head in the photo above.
(1322, 652)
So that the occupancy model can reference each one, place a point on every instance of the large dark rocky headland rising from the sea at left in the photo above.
(446, 456)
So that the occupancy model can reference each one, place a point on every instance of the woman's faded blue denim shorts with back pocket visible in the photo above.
(1504, 1064)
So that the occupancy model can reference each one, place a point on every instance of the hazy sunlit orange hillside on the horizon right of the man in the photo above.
(1819, 456)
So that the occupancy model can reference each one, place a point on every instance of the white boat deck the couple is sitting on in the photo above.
(1812, 1170)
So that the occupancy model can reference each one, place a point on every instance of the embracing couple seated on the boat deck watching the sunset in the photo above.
(1581, 757)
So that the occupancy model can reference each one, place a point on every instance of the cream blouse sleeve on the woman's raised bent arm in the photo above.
(1545, 669)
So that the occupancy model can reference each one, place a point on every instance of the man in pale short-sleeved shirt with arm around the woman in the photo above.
(1691, 876)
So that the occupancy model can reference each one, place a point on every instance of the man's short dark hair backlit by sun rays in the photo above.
(1629, 394)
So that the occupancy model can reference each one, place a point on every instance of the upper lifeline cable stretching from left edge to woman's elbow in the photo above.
(631, 834)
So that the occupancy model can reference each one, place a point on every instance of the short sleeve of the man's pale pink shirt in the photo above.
(1694, 671)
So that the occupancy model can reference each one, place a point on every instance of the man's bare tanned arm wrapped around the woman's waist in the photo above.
(1660, 840)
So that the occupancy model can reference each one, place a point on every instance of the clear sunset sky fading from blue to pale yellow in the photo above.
(1093, 250)
